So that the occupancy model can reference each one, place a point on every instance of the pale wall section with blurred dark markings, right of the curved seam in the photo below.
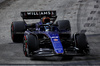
(89, 16)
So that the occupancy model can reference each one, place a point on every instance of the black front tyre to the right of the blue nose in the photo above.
(82, 44)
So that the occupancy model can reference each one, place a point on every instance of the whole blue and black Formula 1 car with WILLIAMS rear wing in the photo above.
(47, 37)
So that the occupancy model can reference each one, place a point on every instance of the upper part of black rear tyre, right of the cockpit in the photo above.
(63, 25)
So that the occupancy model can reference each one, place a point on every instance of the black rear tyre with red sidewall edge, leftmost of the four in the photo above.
(17, 31)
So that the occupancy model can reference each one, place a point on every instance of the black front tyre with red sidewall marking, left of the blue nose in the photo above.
(30, 44)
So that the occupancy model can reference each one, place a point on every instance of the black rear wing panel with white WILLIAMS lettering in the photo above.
(38, 14)
